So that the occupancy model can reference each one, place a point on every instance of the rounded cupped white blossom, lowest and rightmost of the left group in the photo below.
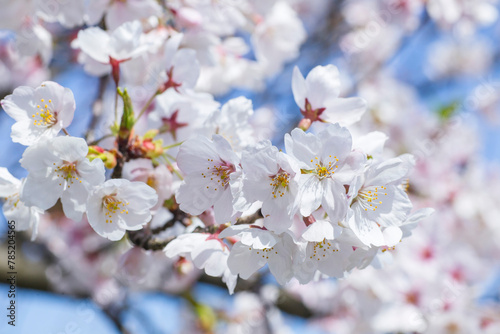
(118, 205)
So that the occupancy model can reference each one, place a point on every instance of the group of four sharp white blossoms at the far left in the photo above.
(58, 168)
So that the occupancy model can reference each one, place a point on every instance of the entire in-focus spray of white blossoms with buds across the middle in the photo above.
(327, 204)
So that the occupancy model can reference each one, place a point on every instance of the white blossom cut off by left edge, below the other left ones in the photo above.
(25, 217)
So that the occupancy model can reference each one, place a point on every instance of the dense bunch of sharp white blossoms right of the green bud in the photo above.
(327, 205)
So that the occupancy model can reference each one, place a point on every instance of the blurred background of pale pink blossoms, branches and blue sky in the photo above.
(430, 72)
